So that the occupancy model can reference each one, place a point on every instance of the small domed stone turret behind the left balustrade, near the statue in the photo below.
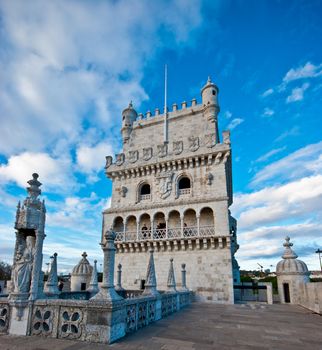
(81, 275)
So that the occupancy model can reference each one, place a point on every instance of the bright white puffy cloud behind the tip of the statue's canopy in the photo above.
(55, 173)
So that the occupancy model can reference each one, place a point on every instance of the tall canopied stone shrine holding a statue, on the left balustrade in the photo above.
(27, 261)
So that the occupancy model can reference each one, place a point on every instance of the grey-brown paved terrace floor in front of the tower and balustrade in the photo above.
(207, 326)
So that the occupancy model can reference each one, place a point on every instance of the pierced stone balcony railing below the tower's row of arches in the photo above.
(164, 234)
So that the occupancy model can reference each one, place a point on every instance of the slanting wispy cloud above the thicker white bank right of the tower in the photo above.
(304, 162)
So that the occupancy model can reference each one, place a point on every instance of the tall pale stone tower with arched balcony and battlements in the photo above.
(172, 188)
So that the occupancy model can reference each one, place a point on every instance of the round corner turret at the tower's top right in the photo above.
(209, 94)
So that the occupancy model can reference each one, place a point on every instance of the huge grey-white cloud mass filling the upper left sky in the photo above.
(65, 62)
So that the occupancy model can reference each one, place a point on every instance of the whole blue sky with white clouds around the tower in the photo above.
(68, 69)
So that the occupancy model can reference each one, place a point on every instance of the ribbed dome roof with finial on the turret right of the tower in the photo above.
(290, 264)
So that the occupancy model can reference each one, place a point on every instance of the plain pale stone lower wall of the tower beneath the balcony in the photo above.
(209, 272)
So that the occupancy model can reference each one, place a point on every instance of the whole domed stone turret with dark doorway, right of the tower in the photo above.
(291, 273)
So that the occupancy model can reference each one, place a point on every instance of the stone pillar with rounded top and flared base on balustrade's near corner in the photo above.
(107, 291)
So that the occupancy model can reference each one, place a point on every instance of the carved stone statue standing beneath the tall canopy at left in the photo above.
(23, 266)
